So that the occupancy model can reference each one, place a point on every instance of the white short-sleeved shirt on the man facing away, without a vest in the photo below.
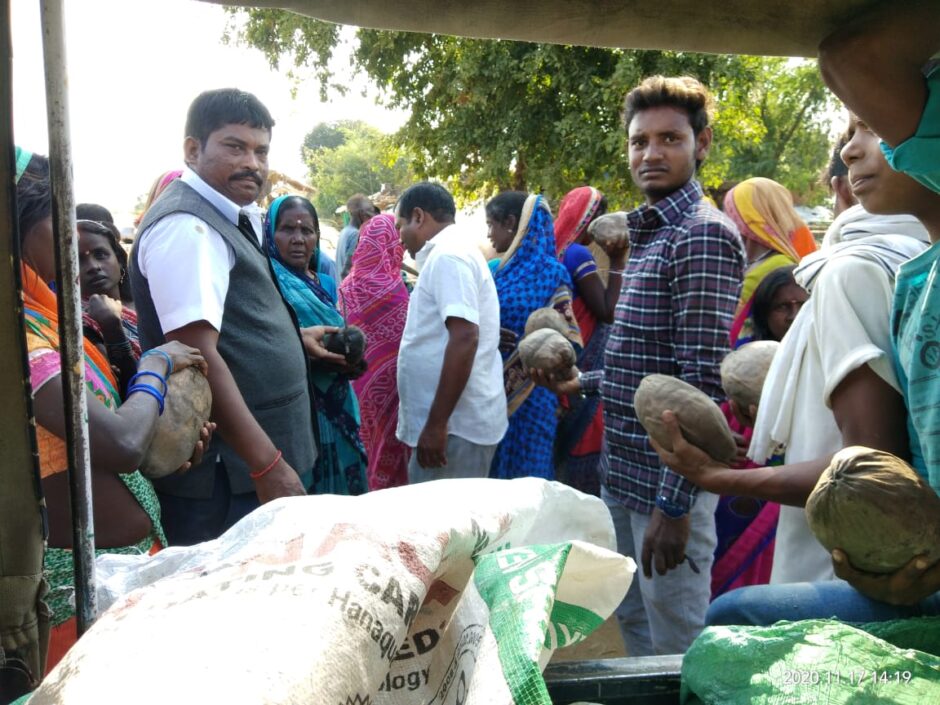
(454, 281)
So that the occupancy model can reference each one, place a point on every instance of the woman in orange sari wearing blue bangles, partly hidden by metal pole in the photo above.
(125, 507)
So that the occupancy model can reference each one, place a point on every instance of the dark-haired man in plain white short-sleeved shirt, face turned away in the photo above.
(452, 409)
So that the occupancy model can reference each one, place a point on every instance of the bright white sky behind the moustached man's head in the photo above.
(134, 67)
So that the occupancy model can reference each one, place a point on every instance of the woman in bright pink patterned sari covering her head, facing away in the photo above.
(373, 297)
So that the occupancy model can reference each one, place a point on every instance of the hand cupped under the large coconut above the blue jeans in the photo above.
(906, 586)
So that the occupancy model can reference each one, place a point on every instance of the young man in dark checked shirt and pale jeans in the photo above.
(680, 289)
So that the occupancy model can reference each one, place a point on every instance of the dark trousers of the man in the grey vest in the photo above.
(188, 520)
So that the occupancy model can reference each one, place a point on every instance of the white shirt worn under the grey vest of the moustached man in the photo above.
(187, 263)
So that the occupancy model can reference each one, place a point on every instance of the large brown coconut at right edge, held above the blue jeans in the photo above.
(876, 508)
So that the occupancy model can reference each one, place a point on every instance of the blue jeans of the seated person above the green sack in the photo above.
(763, 605)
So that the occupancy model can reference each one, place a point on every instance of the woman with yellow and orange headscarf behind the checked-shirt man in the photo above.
(774, 236)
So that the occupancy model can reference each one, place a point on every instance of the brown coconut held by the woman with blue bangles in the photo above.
(185, 412)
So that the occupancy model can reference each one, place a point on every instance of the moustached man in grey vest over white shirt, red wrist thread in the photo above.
(199, 275)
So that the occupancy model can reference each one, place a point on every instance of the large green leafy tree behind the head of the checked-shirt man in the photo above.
(492, 114)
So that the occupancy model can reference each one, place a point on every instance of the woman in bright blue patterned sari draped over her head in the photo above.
(528, 276)
